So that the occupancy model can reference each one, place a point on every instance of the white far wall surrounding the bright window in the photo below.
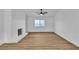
(49, 27)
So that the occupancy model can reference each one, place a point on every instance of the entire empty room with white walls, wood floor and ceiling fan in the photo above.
(39, 29)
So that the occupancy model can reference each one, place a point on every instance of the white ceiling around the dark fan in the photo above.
(33, 12)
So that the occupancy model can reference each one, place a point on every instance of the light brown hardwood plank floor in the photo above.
(40, 41)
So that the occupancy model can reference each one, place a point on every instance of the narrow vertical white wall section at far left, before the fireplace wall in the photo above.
(7, 25)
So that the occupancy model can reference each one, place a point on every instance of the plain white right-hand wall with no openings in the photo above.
(67, 25)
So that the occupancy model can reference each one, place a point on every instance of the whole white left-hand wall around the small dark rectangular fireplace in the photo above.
(10, 22)
